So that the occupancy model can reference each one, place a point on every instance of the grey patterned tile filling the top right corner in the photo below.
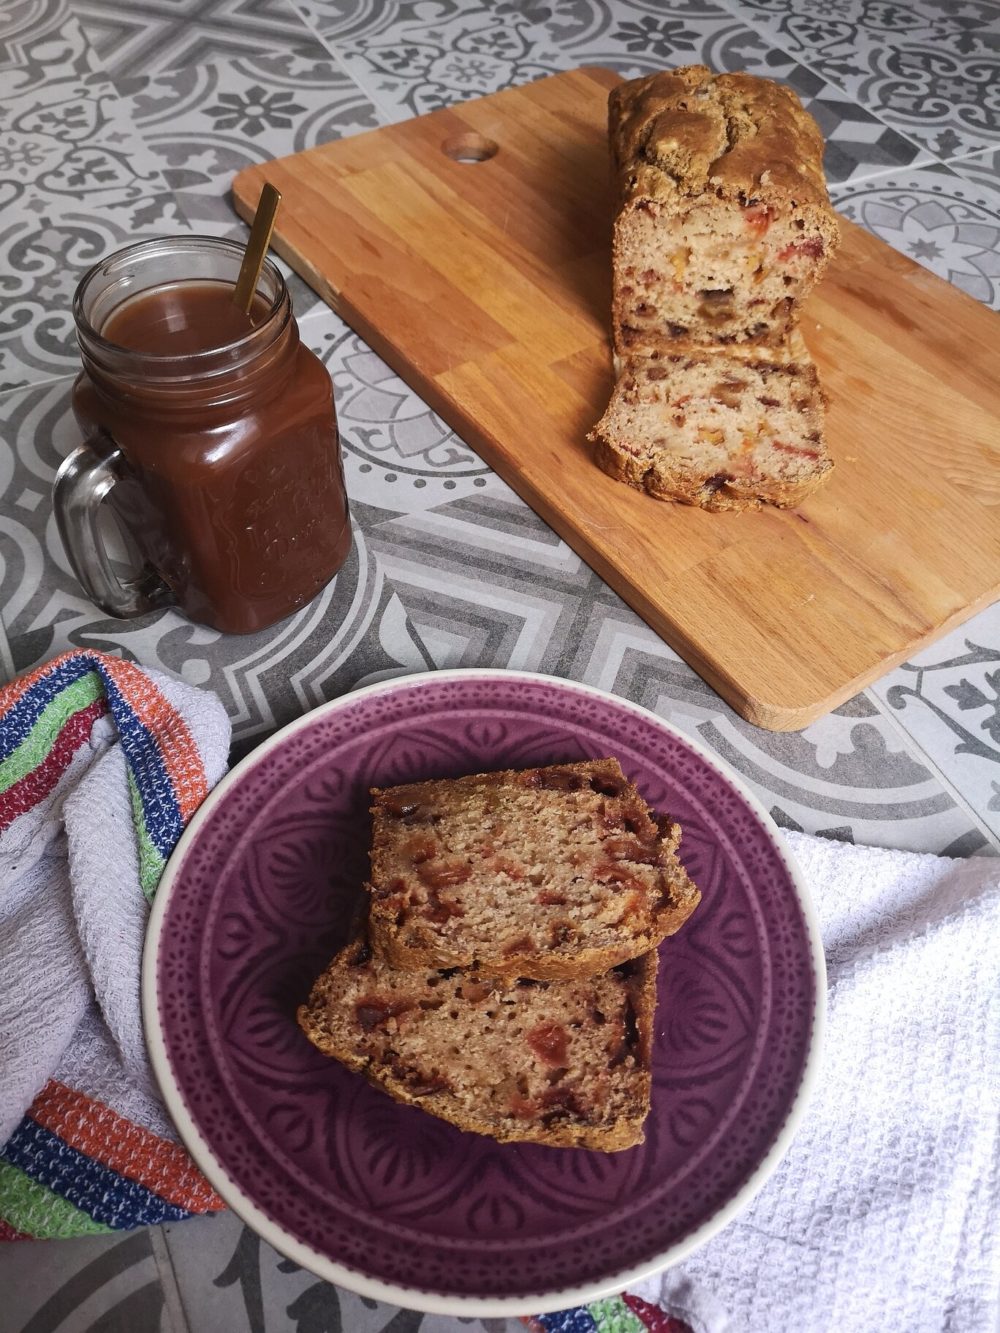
(931, 70)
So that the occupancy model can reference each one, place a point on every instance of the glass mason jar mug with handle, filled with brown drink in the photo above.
(211, 435)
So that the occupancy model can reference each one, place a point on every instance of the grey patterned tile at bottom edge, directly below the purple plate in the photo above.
(230, 1279)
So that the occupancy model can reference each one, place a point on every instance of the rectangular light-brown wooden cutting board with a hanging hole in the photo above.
(486, 286)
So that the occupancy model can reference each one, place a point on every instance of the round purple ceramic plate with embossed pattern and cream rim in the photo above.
(385, 1199)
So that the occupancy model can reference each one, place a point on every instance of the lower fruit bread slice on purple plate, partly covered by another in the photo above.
(559, 1063)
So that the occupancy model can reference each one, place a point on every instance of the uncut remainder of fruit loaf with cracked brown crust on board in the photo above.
(723, 225)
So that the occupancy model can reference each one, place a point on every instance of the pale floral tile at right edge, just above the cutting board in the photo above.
(938, 218)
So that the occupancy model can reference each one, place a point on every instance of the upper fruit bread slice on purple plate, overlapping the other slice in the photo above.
(545, 874)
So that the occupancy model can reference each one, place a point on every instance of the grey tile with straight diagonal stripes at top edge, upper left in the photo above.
(157, 35)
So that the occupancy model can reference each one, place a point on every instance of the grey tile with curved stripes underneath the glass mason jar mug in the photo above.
(355, 631)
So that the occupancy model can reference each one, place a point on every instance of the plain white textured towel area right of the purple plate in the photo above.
(885, 1216)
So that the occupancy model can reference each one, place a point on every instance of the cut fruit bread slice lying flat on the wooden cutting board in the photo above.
(718, 430)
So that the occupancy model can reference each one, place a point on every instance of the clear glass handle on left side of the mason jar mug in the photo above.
(82, 483)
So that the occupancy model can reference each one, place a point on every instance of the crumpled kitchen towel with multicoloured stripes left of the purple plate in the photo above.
(102, 766)
